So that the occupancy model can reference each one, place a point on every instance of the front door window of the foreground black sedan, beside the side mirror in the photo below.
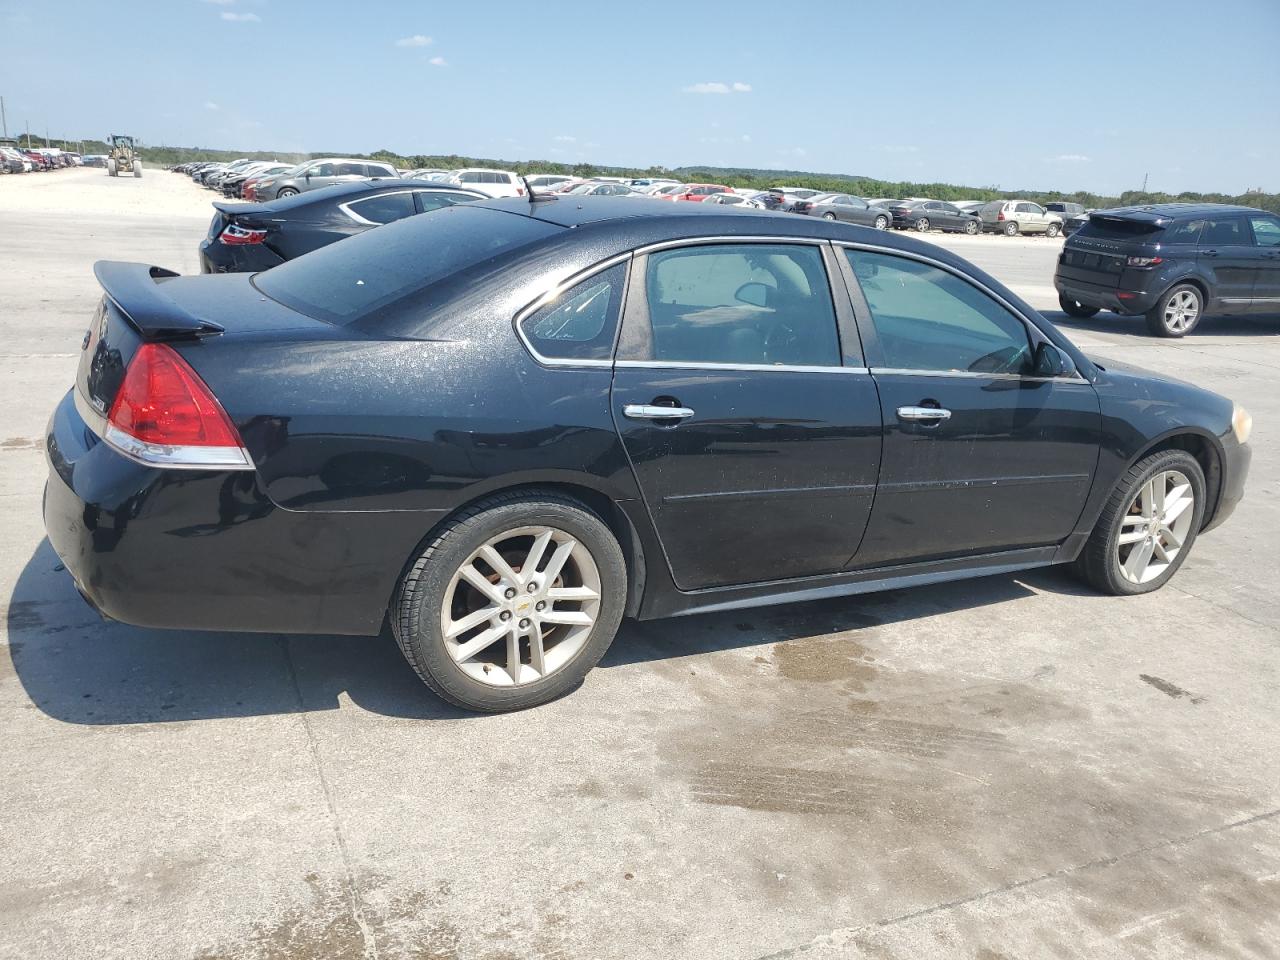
(930, 319)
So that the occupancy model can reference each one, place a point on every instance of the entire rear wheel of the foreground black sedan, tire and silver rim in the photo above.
(513, 604)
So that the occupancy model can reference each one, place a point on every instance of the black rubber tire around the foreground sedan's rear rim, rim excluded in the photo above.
(415, 614)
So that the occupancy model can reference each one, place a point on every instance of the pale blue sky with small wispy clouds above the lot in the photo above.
(1041, 95)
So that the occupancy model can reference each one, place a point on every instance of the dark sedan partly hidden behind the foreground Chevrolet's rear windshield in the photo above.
(250, 237)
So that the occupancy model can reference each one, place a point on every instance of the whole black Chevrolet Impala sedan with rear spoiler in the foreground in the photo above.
(504, 427)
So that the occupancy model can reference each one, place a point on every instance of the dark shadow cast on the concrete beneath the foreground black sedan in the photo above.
(79, 669)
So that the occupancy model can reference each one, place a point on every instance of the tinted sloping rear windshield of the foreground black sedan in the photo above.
(345, 282)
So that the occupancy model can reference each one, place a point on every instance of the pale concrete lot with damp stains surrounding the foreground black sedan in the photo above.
(1011, 767)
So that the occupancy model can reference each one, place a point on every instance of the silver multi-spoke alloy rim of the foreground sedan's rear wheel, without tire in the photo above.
(522, 607)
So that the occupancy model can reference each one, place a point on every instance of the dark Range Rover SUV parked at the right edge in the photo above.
(1173, 263)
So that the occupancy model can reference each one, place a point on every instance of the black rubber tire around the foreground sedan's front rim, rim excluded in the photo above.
(1099, 563)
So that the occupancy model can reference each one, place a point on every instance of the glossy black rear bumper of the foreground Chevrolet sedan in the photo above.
(211, 551)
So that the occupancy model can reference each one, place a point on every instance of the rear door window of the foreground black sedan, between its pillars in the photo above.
(740, 304)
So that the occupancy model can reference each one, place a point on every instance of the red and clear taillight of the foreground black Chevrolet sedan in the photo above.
(166, 417)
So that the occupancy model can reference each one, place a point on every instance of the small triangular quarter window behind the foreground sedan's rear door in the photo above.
(582, 323)
